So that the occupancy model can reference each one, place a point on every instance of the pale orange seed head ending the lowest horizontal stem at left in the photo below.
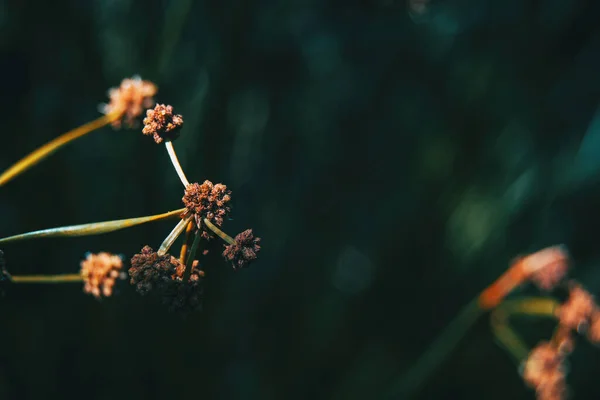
(100, 273)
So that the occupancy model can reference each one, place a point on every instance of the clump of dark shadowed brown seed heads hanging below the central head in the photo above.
(163, 275)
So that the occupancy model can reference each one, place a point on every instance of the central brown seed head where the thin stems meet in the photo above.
(208, 201)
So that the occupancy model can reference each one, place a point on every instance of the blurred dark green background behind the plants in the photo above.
(394, 156)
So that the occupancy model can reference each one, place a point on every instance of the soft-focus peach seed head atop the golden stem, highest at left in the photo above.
(130, 98)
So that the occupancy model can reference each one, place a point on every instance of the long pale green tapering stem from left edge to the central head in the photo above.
(91, 229)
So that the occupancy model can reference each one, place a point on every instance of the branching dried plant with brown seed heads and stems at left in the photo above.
(178, 281)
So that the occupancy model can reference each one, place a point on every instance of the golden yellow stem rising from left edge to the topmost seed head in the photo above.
(38, 155)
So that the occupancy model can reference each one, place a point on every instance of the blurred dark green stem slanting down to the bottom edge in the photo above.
(408, 385)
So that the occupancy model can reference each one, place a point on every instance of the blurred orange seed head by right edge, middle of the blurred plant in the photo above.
(577, 311)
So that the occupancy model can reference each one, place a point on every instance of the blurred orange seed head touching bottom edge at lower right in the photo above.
(544, 371)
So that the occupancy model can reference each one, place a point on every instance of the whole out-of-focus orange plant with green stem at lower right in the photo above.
(542, 368)
